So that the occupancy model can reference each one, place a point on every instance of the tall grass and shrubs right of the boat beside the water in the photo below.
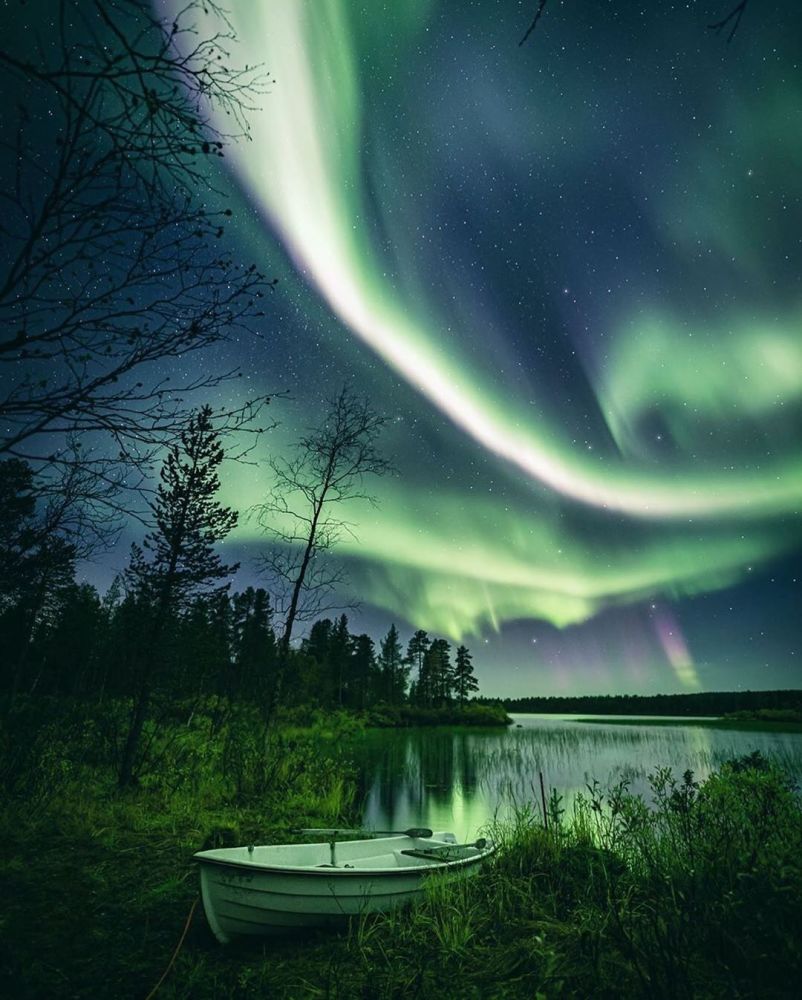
(697, 892)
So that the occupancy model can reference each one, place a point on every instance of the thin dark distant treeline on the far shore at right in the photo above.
(697, 703)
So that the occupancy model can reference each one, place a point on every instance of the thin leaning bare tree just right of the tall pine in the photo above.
(301, 518)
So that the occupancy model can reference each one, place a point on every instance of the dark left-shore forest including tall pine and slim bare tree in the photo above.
(169, 636)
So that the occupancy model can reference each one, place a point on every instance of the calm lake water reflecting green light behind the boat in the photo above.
(459, 779)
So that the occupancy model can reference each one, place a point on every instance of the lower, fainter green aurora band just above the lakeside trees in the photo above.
(456, 569)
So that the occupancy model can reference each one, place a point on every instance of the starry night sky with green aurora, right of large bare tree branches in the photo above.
(568, 272)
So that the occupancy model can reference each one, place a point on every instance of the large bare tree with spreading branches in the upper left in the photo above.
(113, 270)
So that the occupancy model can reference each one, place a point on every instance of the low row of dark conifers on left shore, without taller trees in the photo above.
(82, 645)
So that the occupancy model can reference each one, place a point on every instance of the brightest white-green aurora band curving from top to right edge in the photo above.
(305, 169)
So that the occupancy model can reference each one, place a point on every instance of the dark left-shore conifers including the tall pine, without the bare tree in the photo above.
(169, 623)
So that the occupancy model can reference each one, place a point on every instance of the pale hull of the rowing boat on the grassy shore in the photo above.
(242, 899)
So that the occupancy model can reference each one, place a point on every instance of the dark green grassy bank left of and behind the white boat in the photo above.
(96, 882)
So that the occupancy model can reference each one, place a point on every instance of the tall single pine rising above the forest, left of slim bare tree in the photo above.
(180, 561)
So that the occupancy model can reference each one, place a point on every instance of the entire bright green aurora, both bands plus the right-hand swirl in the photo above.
(695, 522)
